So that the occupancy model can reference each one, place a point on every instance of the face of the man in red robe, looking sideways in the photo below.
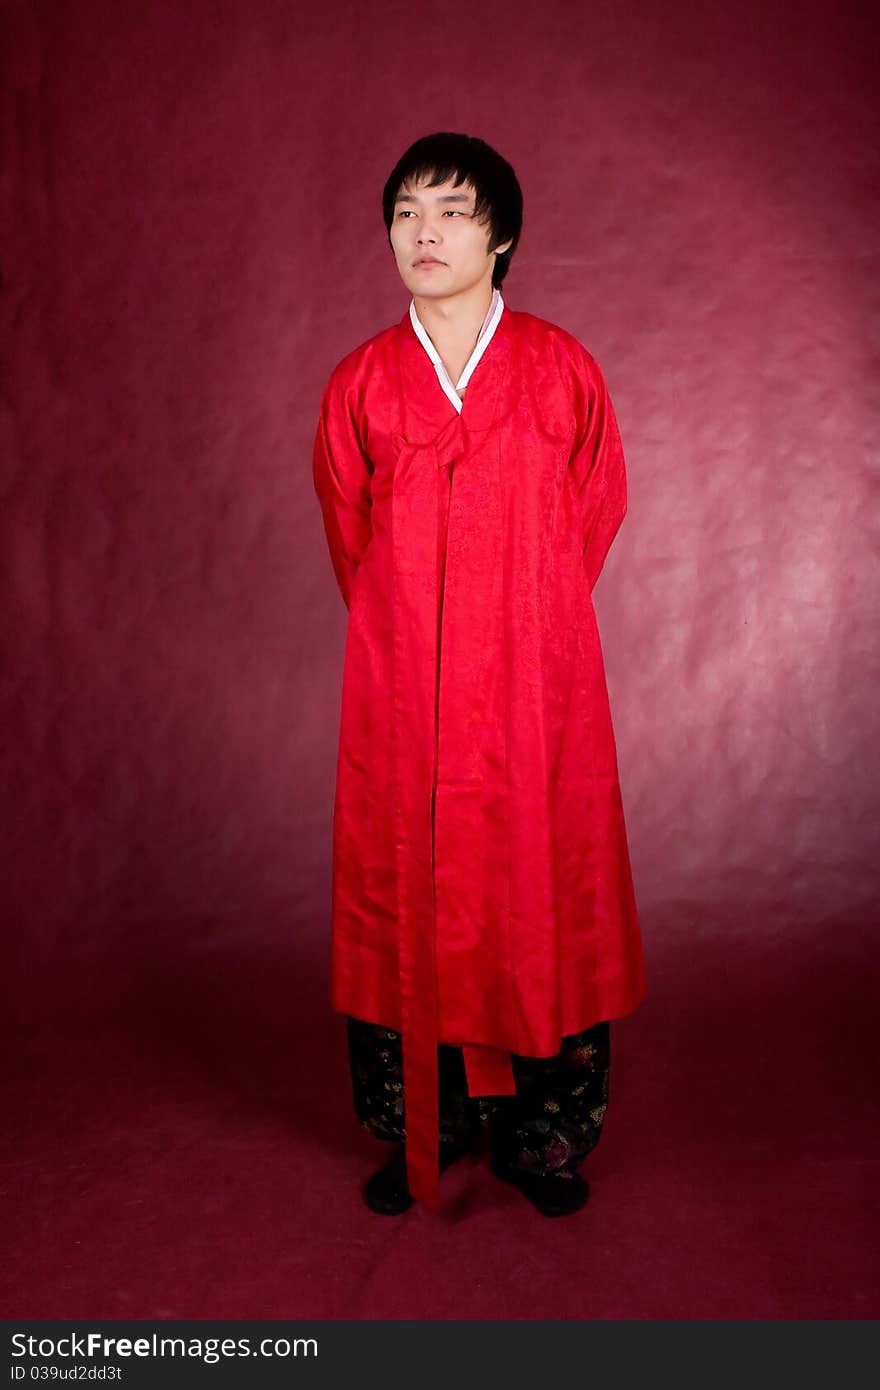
(440, 248)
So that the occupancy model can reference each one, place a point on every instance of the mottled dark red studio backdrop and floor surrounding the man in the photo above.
(193, 240)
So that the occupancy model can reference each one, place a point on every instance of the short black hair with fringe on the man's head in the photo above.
(465, 159)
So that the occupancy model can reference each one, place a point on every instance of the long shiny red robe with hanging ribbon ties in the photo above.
(482, 883)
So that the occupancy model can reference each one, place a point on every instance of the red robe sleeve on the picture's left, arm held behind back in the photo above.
(343, 475)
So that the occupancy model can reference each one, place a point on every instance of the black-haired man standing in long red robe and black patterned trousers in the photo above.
(484, 928)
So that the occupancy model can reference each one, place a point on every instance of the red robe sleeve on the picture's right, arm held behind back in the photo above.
(597, 466)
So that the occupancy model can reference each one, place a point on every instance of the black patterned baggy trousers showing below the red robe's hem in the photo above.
(553, 1122)
